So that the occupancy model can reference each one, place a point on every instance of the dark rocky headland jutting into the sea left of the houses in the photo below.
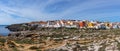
(21, 27)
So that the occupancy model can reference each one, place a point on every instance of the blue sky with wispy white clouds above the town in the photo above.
(20, 11)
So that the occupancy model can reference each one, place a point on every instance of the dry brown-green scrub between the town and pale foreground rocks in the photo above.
(55, 38)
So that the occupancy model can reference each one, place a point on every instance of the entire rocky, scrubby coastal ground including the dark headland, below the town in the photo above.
(32, 38)
